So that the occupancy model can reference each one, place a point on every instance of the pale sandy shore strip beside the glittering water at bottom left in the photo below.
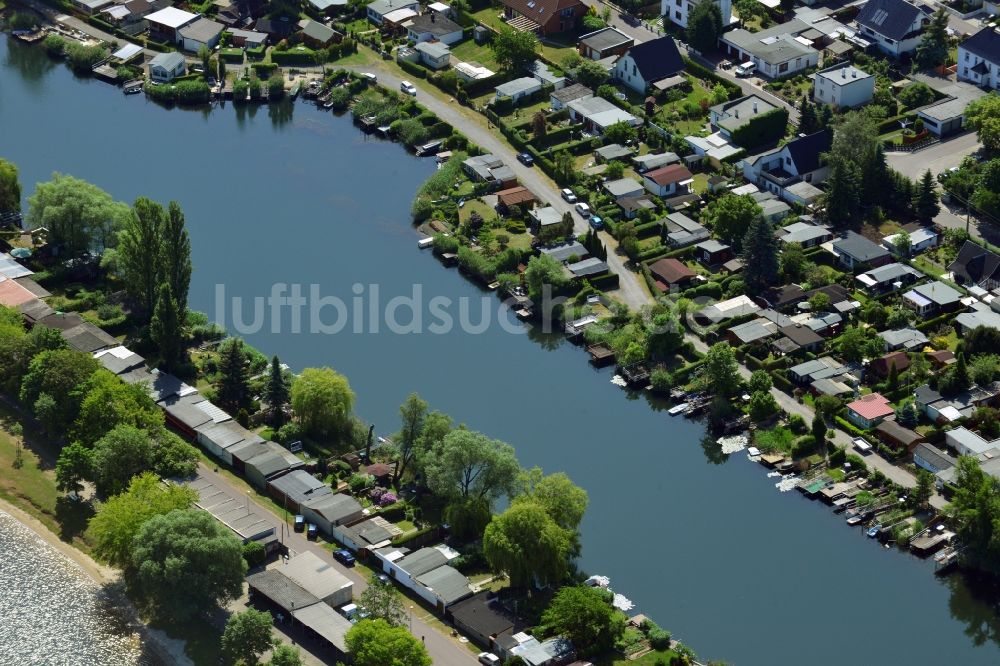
(167, 650)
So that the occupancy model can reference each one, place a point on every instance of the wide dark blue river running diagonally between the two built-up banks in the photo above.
(701, 542)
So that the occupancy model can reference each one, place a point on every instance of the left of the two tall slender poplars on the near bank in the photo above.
(139, 253)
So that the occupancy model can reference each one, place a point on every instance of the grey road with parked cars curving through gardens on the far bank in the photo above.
(631, 291)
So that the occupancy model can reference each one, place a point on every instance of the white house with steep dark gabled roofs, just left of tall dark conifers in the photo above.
(795, 162)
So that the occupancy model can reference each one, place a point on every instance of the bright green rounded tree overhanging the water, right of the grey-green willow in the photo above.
(527, 545)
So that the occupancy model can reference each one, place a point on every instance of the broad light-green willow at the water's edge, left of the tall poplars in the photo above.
(79, 216)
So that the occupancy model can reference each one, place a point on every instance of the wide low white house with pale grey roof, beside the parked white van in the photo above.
(777, 51)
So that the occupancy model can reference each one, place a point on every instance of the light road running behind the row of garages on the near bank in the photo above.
(443, 649)
